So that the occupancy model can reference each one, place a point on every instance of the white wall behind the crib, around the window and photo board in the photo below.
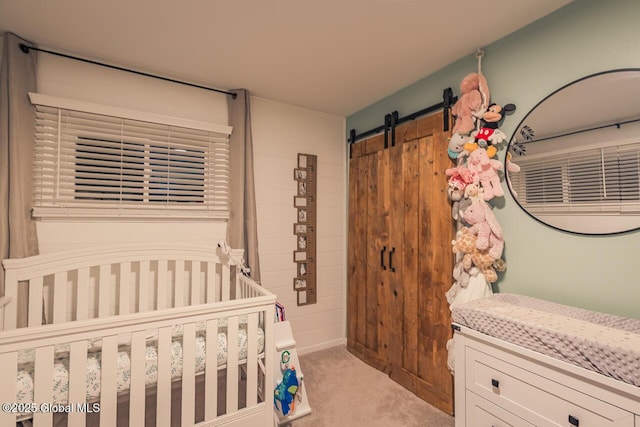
(280, 132)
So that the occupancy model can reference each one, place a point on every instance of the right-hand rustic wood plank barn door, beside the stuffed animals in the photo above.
(427, 230)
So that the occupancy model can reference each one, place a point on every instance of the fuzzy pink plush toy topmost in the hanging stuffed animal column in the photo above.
(472, 102)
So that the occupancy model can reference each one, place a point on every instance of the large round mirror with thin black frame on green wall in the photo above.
(578, 155)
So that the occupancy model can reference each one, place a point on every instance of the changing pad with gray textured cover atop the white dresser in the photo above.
(604, 343)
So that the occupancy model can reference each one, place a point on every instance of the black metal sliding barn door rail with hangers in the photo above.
(391, 120)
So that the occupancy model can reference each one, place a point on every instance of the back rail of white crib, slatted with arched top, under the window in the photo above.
(116, 280)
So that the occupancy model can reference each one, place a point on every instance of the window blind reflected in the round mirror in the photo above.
(600, 180)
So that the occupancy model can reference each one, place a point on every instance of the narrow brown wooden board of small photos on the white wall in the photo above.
(304, 256)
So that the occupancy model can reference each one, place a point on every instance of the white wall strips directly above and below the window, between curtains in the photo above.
(86, 82)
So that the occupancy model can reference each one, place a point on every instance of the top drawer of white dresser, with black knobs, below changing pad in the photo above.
(514, 385)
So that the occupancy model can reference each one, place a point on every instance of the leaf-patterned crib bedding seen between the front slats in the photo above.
(25, 383)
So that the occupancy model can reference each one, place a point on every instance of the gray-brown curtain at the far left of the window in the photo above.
(17, 118)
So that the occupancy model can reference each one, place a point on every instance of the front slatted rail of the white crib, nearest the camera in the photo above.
(135, 329)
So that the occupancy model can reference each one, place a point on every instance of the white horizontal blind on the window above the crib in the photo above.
(98, 165)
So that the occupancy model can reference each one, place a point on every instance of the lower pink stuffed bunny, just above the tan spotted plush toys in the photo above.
(485, 225)
